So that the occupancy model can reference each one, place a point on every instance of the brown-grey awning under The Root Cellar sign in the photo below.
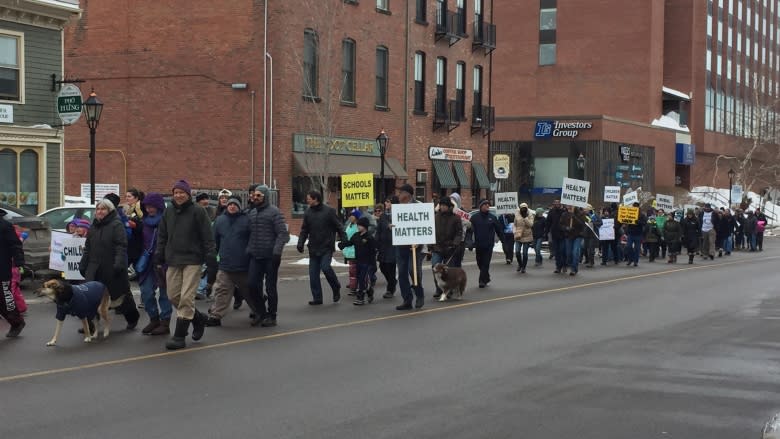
(339, 164)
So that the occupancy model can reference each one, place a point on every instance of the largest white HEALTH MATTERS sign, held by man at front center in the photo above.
(413, 223)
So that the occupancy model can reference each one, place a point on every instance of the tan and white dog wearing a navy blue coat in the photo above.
(84, 301)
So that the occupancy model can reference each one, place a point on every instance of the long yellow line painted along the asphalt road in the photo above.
(360, 322)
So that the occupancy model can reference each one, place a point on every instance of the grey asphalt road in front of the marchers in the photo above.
(656, 351)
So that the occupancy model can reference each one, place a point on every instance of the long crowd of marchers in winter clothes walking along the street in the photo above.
(189, 249)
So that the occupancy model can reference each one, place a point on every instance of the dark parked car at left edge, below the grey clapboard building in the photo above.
(36, 246)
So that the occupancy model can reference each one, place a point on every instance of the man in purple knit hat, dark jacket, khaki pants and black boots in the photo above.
(185, 243)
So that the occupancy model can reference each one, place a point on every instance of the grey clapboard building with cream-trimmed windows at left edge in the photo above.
(31, 35)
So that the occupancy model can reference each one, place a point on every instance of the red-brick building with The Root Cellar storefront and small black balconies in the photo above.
(245, 92)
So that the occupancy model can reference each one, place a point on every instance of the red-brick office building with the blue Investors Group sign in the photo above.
(651, 94)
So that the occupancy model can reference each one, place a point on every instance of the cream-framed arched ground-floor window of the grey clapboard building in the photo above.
(19, 178)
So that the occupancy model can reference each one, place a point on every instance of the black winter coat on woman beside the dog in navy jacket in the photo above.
(105, 255)
